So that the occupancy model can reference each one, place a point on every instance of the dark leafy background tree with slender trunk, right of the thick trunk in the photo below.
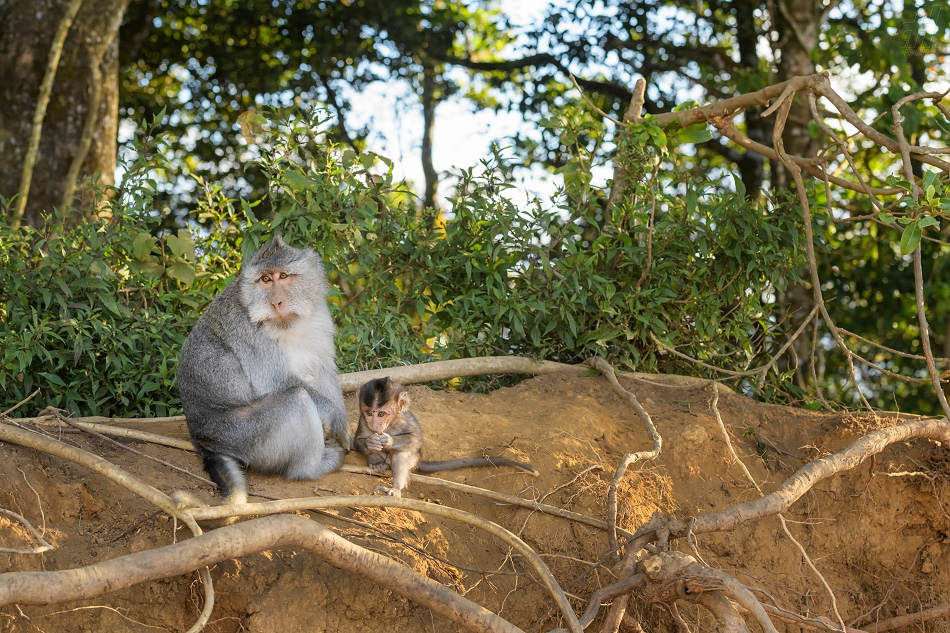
(206, 63)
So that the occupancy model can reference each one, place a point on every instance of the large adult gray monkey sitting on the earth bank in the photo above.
(258, 378)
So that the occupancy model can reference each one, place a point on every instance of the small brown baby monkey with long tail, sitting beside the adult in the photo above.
(391, 438)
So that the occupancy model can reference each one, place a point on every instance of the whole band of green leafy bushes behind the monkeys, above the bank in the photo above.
(95, 311)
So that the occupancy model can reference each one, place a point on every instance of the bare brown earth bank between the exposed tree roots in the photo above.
(878, 533)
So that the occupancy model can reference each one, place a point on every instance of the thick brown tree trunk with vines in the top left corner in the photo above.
(81, 121)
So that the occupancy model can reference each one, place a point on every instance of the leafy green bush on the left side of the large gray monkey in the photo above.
(94, 310)
